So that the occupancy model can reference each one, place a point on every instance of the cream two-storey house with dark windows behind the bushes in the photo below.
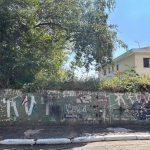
(138, 58)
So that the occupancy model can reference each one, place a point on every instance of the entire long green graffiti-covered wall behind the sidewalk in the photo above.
(73, 107)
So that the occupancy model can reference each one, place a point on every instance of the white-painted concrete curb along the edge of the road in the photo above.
(75, 140)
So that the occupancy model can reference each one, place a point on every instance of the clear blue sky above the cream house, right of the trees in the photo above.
(133, 20)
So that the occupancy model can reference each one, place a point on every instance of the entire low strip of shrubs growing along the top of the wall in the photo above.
(128, 81)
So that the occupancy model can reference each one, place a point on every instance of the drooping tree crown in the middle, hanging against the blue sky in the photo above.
(84, 24)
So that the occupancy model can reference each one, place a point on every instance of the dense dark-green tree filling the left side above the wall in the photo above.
(26, 51)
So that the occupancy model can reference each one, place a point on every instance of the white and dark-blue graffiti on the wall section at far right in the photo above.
(130, 105)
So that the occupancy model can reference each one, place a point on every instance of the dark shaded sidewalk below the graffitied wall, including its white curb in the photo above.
(79, 133)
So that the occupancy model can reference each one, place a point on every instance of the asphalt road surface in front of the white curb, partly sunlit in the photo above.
(112, 145)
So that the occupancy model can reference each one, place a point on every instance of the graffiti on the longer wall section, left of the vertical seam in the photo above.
(67, 106)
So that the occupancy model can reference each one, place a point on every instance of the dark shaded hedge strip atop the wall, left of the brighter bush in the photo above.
(69, 83)
